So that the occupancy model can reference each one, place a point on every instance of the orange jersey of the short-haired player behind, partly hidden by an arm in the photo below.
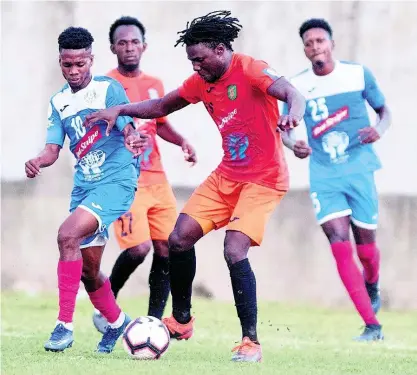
(137, 89)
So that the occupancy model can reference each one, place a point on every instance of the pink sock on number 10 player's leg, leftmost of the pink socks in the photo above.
(69, 276)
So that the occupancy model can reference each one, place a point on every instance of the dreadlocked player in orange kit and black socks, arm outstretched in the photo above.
(240, 93)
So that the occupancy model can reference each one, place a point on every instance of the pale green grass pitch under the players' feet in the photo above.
(296, 340)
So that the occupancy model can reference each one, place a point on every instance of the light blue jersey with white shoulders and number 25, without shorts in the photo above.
(335, 112)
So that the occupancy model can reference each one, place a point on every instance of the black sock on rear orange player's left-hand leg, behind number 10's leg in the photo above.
(124, 266)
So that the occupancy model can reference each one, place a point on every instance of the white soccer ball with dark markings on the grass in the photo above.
(146, 338)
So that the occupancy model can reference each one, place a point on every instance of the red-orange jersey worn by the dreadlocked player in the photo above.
(246, 117)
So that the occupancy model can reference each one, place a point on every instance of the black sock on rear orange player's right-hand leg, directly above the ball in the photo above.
(158, 286)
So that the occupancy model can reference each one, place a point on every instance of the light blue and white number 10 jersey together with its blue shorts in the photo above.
(105, 177)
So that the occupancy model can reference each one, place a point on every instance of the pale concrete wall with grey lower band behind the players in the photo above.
(294, 263)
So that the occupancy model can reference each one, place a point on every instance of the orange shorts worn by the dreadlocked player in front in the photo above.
(241, 206)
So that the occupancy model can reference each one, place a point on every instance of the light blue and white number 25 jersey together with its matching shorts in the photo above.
(341, 168)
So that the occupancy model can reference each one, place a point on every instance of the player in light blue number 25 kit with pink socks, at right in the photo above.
(343, 162)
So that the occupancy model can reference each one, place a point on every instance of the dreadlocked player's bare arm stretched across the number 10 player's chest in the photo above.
(148, 109)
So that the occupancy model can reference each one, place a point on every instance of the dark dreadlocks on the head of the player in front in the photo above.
(213, 28)
